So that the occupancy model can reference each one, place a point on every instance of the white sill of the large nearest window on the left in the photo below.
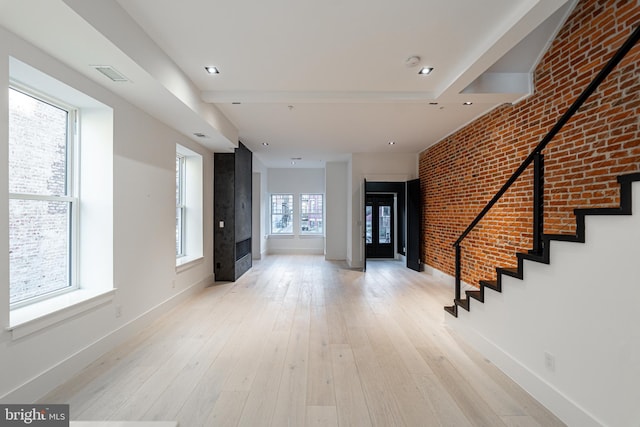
(35, 317)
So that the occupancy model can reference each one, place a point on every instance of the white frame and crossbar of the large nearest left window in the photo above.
(72, 170)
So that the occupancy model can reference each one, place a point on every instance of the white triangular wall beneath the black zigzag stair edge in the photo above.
(568, 333)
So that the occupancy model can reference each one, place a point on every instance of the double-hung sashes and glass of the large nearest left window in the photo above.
(43, 204)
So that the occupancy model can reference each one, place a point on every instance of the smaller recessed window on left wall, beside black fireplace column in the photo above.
(189, 216)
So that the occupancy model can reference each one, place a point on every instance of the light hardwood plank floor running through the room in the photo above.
(300, 341)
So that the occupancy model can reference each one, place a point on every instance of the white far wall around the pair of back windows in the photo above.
(295, 181)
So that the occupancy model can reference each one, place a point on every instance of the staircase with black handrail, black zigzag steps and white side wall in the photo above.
(565, 323)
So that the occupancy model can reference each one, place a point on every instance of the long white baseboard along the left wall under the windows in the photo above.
(37, 387)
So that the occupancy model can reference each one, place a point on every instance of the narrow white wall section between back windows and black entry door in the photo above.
(336, 210)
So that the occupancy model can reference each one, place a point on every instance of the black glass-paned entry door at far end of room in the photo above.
(379, 224)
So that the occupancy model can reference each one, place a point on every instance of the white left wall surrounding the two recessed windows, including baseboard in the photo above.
(143, 245)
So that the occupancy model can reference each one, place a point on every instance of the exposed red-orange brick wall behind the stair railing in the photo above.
(461, 173)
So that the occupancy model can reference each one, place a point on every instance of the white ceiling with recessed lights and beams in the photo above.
(316, 80)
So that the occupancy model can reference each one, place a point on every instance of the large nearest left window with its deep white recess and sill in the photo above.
(60, 200)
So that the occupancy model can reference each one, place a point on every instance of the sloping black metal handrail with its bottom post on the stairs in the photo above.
(606, 70)
